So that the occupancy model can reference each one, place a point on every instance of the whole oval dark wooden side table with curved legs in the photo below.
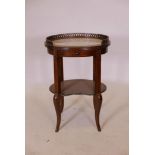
(77, 45)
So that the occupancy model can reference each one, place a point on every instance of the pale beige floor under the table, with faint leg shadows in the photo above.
(78, 134)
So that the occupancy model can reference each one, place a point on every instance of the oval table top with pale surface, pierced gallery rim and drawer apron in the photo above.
(77, 44)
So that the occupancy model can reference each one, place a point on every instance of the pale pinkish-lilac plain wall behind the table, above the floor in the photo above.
(44, 18)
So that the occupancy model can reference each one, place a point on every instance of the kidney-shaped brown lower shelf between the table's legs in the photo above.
(77, 87)
